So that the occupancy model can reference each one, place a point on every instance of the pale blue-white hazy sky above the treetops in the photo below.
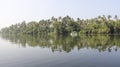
(16, 11)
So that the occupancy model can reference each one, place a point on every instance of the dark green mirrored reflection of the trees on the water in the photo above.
(67, 43)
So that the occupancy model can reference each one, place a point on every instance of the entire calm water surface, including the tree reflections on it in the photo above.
(59, 51)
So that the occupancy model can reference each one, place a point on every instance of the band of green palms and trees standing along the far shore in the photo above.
(67, 26)
